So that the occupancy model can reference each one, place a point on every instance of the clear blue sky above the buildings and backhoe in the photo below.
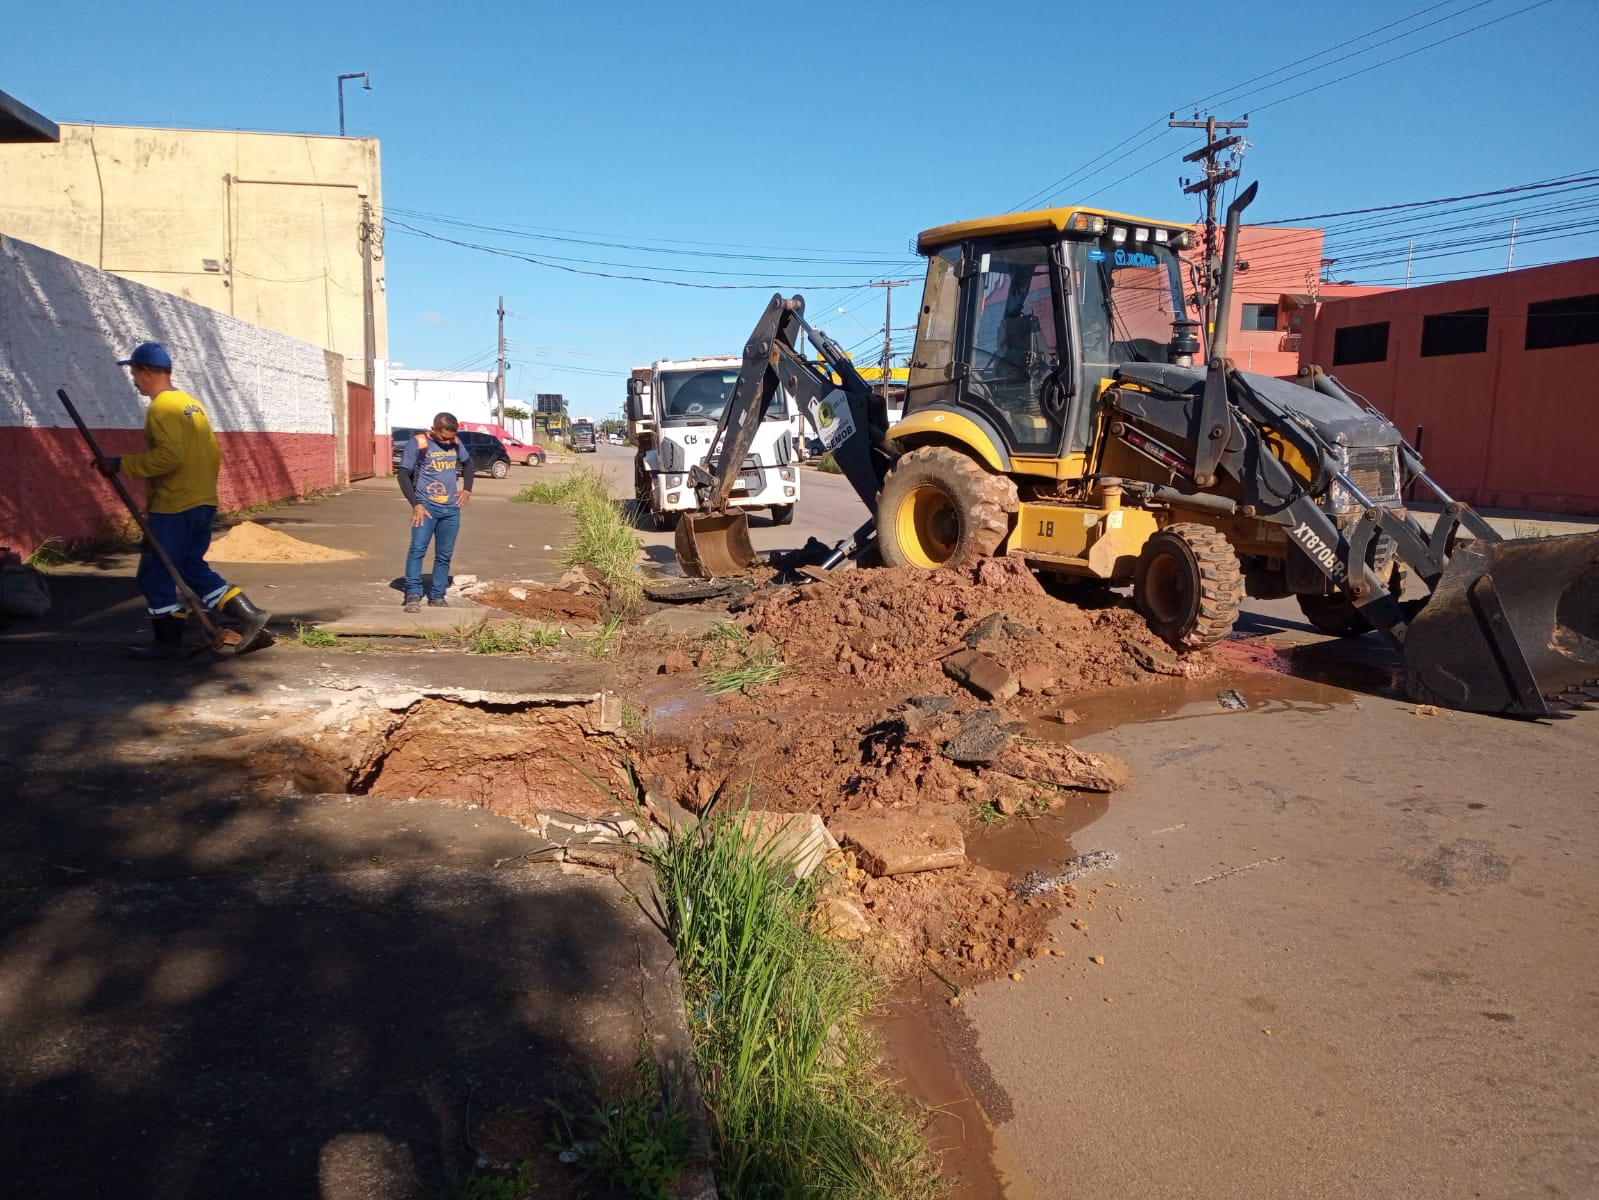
(803, 148)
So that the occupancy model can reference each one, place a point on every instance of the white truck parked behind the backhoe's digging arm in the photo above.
(672, 414)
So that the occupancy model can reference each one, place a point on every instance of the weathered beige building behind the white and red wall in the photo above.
(269, 228)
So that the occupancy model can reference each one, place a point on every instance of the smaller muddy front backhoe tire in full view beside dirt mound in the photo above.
(1189, 586)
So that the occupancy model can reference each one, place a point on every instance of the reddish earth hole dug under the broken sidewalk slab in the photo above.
(514, 759)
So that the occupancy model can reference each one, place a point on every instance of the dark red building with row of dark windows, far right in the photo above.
(1496, 380)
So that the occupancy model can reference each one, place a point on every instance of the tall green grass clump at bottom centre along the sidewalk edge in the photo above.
(791, 1076)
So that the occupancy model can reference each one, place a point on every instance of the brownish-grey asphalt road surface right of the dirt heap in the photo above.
(1349, 953)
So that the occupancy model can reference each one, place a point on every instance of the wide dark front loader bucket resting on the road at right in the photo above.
(1512, 628)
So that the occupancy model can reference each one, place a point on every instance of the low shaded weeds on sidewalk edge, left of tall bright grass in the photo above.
(640, 1142)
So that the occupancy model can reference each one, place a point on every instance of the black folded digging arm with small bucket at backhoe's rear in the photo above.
(839, 407)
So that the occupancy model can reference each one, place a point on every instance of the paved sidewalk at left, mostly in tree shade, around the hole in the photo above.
(217, 983)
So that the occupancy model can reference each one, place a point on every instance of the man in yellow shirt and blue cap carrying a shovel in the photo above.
(181, 463)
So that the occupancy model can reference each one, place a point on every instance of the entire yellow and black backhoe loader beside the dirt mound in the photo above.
(1056, 415)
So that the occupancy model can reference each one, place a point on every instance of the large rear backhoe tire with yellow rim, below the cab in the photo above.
(943, 508)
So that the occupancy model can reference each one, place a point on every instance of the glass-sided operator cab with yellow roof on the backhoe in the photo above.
(1026, 316)
